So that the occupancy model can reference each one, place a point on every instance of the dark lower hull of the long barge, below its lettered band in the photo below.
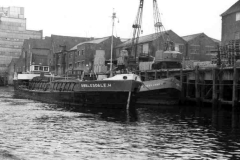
(96, 99)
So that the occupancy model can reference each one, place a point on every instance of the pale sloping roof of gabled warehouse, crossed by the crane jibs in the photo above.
(143, 39)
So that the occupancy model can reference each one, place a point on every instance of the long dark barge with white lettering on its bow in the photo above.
(114, 91)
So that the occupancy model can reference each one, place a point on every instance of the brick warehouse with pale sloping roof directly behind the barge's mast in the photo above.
(80, 57)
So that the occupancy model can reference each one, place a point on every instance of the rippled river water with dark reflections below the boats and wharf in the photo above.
(33, 130)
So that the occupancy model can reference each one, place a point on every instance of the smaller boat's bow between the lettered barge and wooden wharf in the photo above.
(164, 91)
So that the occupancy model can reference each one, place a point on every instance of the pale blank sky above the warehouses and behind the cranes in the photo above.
(92, 18)
